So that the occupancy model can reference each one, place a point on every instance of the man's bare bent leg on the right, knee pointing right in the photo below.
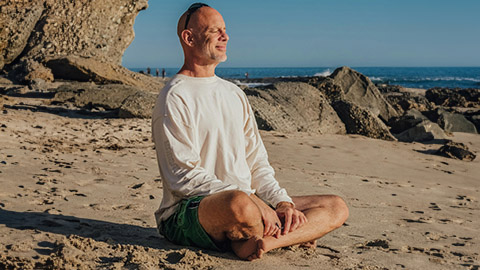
(324, 213)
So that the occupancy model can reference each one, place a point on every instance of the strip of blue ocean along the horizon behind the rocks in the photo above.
(412, 77)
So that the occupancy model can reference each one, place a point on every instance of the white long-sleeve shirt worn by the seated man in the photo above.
(207, 141)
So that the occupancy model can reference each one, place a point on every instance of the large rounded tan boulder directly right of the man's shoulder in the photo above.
(291, 106)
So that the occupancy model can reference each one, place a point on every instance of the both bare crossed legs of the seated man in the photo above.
(231, 216)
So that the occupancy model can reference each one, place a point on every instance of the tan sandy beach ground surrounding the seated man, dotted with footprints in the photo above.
(78, 191)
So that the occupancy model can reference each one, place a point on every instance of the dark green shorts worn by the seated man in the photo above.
(183, 227)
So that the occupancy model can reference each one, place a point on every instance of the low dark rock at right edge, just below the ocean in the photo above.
(456, 97)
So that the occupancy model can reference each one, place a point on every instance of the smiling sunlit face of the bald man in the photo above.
(211, 37)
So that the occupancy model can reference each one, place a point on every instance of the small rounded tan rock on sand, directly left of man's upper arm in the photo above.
(138, 105)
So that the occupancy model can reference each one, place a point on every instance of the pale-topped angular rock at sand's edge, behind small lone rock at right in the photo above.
(423, 131)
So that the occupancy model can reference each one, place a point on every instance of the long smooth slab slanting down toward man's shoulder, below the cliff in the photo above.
(88, 69)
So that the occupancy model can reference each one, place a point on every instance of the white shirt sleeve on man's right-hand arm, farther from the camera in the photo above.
(263, 175)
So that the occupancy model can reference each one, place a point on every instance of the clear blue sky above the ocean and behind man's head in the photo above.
(320, 33)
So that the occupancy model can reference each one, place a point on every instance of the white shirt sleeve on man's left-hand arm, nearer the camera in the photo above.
(179, 158)
